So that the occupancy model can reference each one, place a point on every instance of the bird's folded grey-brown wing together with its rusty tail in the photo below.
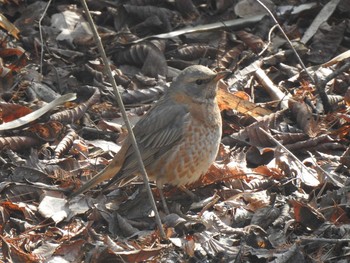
(156, 133)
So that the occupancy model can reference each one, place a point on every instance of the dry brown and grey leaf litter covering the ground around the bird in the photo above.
(278, 190)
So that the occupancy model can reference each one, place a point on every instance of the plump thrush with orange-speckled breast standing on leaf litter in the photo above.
(178, 137)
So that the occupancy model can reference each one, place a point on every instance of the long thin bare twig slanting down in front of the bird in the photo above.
(125, 117)
